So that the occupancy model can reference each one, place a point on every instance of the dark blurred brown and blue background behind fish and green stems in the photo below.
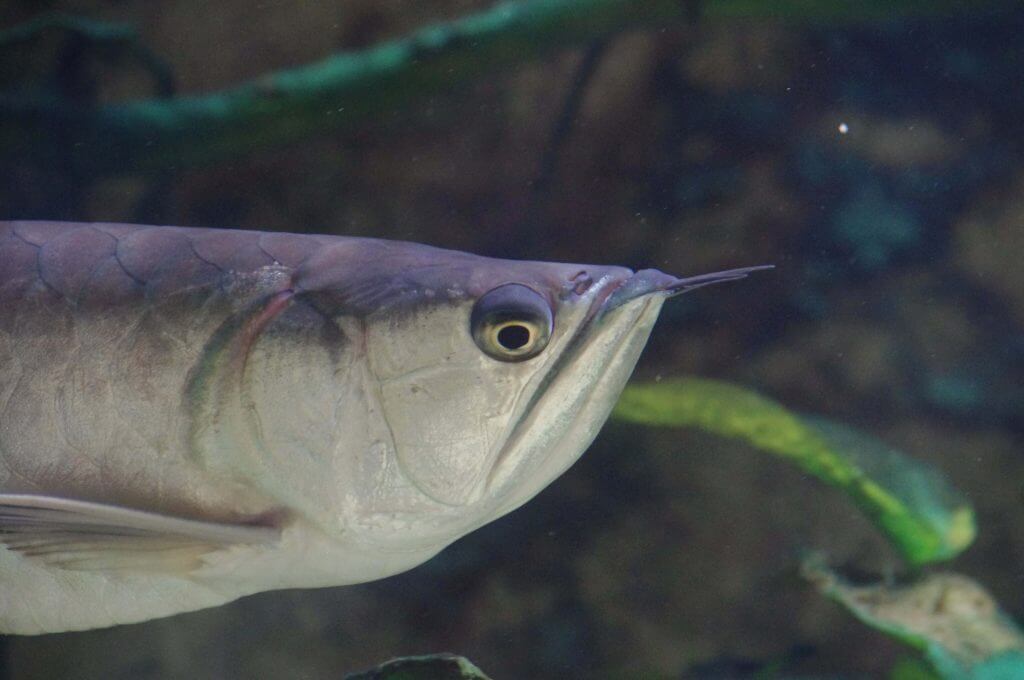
(875, 156)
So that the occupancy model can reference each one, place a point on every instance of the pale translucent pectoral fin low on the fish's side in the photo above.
(87, 537)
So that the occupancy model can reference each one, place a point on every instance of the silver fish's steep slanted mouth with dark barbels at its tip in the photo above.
(612, 296)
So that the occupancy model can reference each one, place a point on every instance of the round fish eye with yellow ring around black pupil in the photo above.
(511, 323)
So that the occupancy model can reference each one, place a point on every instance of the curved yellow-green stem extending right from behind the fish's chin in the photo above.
(911, 503)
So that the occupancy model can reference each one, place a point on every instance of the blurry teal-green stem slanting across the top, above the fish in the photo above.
(287, 106)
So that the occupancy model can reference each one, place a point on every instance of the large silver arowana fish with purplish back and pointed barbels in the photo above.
(190, 416)
